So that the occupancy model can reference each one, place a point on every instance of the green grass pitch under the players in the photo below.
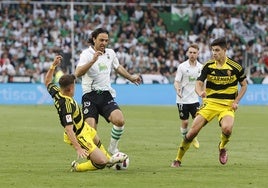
(33, 153)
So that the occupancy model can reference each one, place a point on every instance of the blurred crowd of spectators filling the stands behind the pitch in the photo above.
(31, 35)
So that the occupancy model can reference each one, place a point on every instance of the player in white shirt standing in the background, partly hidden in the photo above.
(187, 100)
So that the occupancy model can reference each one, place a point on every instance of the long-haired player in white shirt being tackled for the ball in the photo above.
(95, 66)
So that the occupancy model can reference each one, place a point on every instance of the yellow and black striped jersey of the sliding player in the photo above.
(68, 109)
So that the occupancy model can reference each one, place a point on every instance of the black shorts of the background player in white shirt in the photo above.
(186, 109)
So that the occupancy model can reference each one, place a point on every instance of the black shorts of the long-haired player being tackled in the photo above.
(98, 103)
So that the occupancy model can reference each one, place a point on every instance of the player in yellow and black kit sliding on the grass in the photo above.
(77, 132)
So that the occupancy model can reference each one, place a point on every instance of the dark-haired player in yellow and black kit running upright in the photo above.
(220, 96)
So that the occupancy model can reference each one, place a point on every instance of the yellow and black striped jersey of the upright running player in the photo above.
(222, 83)
